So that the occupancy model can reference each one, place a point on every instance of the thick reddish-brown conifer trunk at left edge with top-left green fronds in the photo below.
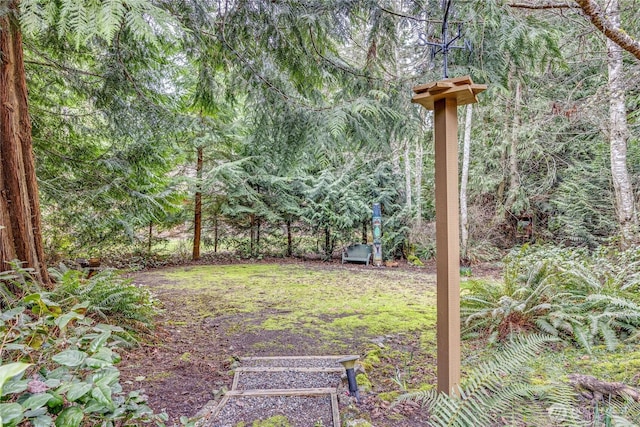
(20, 218)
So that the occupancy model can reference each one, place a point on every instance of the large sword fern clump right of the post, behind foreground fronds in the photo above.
(568, 293)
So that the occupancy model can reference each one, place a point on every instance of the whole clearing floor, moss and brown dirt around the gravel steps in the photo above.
(215, 313)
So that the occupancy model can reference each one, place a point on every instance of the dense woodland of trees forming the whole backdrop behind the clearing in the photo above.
(262, 125)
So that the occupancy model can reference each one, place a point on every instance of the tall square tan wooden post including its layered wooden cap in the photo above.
(443, 98)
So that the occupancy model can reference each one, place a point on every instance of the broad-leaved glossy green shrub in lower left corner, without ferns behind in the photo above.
(71, 379)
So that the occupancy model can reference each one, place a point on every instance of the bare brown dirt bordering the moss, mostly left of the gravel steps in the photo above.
(187, 363)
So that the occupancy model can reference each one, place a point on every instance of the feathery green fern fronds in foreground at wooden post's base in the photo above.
(498, 391)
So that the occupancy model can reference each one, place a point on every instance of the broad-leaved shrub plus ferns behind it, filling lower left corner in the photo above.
(58, 355)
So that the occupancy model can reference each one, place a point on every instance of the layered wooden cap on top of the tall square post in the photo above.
(461, 88)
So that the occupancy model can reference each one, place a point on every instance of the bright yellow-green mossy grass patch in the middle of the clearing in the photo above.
(329, 303)
